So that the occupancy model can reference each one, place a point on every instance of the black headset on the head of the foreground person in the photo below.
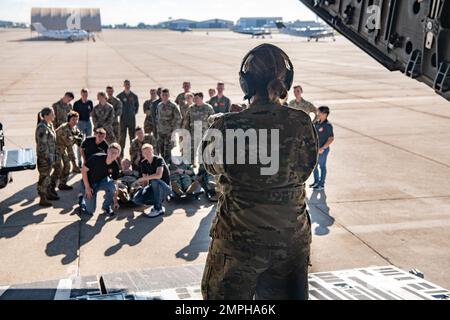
(247, 80)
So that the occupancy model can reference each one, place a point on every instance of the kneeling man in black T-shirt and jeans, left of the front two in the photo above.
(100, 173)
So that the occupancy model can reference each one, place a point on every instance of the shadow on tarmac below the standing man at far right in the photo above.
(320, 213)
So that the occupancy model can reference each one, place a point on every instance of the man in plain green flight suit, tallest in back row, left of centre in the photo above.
(130, 107)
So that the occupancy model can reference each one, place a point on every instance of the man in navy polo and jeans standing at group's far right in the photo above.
(326, 137)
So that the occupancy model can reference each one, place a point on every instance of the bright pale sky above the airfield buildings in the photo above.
(154, 11)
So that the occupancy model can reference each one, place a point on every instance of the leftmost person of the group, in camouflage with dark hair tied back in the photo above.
(45, 137)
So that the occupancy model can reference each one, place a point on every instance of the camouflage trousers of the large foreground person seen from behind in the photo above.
(239, 271)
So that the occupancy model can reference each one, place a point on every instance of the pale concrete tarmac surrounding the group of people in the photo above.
(386, 199)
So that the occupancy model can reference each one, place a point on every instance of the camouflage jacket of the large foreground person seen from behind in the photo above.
(266, 210)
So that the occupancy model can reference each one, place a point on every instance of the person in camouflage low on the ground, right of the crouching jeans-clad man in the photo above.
(182, 177)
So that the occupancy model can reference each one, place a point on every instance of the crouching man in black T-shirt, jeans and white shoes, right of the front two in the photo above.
(156, 181)
